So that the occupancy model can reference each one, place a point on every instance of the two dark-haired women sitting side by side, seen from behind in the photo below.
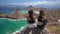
(42, 19)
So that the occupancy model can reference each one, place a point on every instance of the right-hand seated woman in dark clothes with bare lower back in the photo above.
(42, 19)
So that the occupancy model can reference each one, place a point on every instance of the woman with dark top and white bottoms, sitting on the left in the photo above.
(31, 19)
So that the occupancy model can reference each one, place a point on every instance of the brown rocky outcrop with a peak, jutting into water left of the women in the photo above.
(16, 15)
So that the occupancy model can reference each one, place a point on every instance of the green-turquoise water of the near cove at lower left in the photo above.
(8, 26)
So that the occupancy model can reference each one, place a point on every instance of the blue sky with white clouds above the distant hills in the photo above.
(29, 2)
